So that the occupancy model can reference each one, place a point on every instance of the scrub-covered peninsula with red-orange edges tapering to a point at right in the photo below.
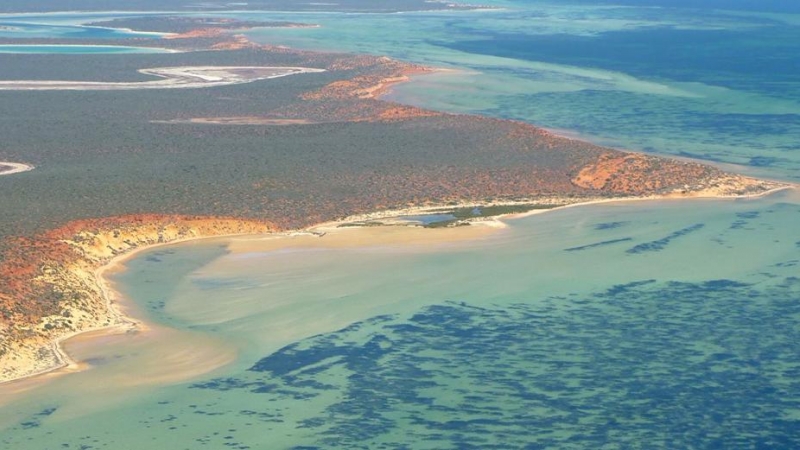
(124, 163)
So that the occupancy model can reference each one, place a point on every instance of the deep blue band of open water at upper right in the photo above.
(731, 58)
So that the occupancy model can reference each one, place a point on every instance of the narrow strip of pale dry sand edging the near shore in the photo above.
(115, 301)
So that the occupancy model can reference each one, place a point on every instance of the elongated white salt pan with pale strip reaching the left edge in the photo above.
(173, 78)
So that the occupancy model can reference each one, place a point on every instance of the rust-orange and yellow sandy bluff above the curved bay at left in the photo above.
(50, 289)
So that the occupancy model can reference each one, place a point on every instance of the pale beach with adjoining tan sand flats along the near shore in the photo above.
(380, 228)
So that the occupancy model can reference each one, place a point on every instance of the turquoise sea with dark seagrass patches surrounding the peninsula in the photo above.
(659, 324)
